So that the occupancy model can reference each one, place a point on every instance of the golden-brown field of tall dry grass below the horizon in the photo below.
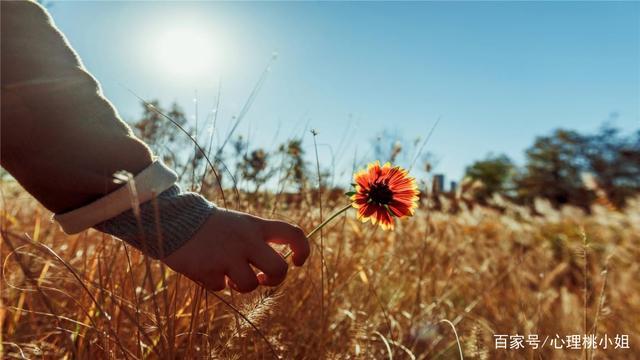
(479, 270)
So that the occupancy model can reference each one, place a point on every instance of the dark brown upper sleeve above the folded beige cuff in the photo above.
(60, 138)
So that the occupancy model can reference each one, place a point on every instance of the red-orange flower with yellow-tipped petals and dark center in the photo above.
(383, 193)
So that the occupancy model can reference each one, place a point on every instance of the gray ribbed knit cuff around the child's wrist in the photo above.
(165, 223)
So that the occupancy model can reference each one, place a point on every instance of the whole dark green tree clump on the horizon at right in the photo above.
(565, 167)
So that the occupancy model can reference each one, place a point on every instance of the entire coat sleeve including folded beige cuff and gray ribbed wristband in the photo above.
(63, 141)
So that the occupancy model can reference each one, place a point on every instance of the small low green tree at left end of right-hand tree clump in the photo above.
(495, 173)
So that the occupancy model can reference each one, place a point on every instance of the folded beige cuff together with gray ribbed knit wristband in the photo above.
(150, 212)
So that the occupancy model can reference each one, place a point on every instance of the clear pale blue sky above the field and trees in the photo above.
(497, 74)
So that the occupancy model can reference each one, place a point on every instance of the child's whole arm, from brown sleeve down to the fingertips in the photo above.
(63, 141)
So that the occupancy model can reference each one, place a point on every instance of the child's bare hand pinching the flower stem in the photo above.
(229, 242)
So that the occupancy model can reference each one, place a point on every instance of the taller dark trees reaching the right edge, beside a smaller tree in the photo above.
(556, 164)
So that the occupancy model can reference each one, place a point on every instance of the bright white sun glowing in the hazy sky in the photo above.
(187, 52)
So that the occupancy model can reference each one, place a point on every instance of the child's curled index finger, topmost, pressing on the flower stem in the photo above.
(279, 232)
